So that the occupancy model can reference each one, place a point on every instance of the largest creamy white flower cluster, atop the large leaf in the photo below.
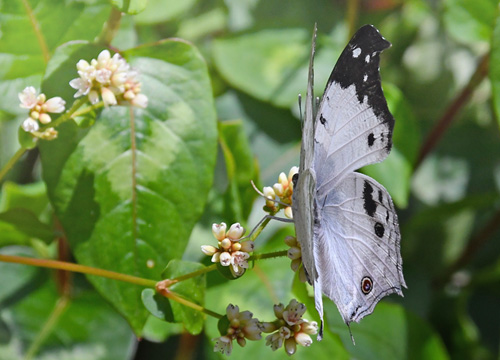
(109, 78)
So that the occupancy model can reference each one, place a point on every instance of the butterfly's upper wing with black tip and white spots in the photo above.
(353, 124)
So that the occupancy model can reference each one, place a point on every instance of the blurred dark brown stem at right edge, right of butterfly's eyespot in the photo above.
(475, 243)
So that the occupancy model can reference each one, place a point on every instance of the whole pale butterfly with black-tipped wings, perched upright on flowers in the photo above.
(345, 221)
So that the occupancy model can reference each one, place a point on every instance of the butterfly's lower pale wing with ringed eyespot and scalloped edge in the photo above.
(357, 242)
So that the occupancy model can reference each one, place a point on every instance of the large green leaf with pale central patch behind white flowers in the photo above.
(129, 190)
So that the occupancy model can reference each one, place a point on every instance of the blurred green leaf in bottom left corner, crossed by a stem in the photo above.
(86, 325)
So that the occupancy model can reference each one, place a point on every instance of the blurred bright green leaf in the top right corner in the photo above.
(470, 20)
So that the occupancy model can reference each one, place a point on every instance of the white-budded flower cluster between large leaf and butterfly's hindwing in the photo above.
(231, 251)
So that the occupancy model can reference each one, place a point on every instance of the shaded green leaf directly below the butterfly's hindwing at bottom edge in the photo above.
(389, 332)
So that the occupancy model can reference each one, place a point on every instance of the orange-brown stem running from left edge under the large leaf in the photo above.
(61, 265)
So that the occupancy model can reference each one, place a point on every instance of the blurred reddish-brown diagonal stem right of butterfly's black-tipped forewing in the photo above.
(453, 109)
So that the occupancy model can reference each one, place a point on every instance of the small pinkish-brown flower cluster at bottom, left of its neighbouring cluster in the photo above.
(242, 326)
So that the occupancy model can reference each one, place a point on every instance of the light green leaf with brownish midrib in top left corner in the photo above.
(31, 30)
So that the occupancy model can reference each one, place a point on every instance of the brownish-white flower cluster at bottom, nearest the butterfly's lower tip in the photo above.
(289, 328)
